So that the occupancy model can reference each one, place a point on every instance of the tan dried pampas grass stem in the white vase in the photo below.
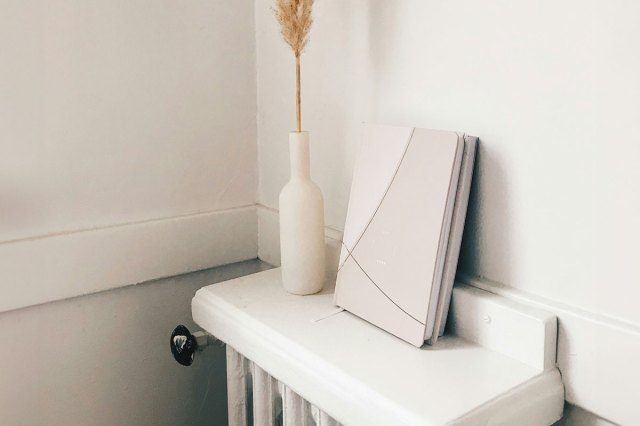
(295, 21)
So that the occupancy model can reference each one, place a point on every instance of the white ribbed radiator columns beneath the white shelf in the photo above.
(256, 398)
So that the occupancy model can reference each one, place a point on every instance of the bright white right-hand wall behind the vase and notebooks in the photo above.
(551, 89)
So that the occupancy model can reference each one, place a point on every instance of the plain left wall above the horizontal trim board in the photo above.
(122, 111)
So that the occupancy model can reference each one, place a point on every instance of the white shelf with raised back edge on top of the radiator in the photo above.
(361, 375)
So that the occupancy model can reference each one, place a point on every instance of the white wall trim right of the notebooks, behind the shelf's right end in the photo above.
(598, 356)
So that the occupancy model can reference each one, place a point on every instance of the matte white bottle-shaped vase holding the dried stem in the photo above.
(301, 224)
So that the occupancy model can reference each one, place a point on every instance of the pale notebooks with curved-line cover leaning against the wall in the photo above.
(404, 227)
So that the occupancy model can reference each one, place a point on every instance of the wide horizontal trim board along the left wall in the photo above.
(40, 270)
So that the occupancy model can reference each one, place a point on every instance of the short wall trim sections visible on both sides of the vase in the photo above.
(269, 240)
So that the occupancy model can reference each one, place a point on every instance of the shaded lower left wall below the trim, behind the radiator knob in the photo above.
(104, 359)
